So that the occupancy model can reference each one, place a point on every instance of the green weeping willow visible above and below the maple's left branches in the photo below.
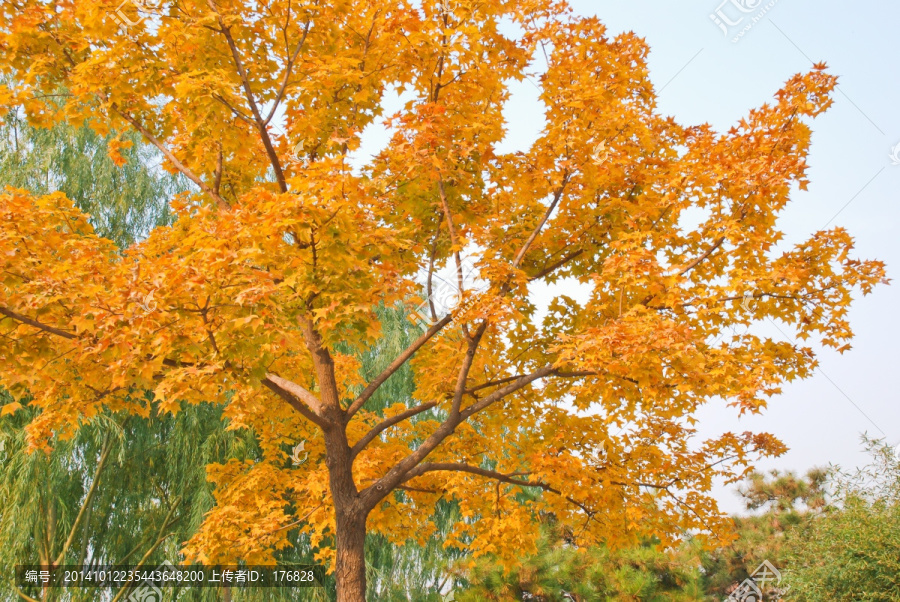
(123, 487)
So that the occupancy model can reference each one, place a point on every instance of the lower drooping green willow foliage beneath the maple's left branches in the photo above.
(150, 495)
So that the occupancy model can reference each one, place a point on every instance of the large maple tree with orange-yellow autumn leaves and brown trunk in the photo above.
(262, 295)
